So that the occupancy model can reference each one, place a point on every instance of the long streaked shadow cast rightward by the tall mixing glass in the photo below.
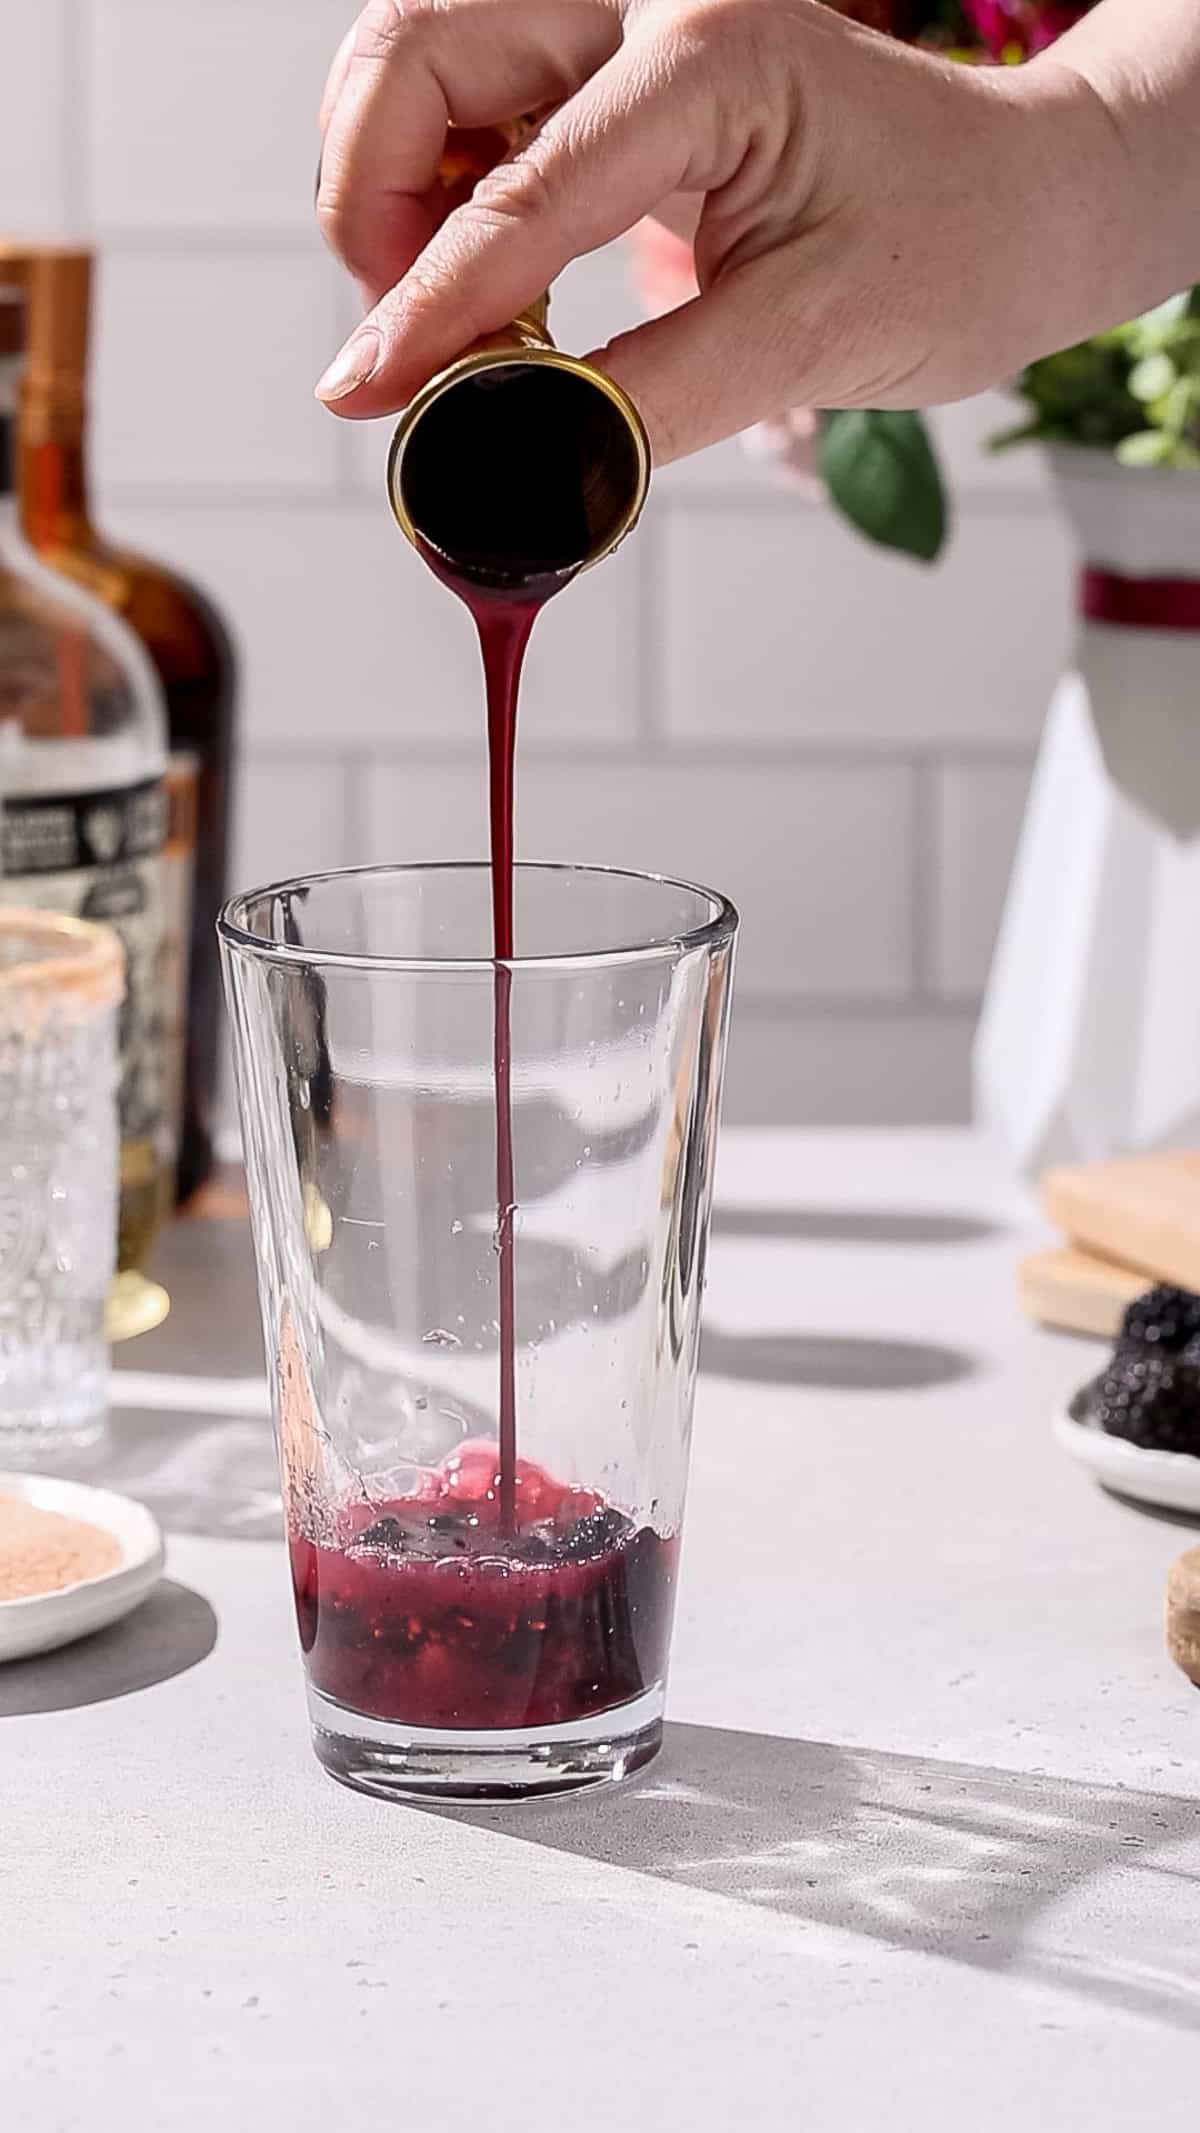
(999, 1870)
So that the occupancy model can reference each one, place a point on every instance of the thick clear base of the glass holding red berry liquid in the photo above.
(415, 1763)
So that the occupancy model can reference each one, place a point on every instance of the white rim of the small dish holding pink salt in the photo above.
(50, 1620)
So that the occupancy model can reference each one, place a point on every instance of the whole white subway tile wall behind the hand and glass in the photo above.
(745, 694)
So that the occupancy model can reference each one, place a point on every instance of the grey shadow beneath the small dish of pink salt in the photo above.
(169, 1633)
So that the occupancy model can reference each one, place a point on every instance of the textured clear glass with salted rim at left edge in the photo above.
(61, 984)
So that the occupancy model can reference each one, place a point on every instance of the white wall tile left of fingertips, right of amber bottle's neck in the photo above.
(206, 368)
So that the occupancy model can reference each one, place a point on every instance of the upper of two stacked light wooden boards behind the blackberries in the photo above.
(1137, 1210)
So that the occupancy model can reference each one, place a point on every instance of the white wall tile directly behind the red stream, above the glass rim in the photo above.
(346, 635)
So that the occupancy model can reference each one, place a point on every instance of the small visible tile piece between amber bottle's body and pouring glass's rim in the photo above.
(291, 820)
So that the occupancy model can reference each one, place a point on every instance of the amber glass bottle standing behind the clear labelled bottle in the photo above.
(178, 626)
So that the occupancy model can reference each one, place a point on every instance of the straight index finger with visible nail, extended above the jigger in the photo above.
(600, 163)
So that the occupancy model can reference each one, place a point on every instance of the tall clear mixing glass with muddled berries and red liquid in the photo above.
(476, 1626)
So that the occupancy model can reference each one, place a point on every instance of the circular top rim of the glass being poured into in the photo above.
(713, 933)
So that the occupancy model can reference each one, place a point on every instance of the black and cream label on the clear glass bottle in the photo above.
(99, 856)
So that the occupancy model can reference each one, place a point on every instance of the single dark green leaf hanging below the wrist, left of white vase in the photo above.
(883, 475)
